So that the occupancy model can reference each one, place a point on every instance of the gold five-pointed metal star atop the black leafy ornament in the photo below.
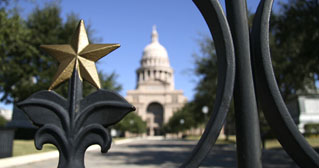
(79, 55)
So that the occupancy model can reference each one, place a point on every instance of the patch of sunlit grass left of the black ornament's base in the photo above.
(24, 147)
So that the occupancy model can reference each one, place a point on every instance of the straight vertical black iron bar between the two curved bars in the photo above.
(247, 123)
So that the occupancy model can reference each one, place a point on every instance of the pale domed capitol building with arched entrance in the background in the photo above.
(155, 97)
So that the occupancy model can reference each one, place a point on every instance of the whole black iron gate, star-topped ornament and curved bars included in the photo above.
(244, 64)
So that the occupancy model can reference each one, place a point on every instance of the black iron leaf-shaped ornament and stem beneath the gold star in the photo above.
(49, 111)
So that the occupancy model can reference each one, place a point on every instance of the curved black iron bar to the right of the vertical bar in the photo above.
(269, 95)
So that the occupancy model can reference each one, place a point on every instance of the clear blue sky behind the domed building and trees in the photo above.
(179, 24)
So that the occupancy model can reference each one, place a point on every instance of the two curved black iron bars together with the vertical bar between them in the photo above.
(227, 35)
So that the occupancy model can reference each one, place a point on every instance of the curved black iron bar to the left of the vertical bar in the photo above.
(217, 23)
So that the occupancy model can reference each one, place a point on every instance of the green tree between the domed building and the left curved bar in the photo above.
(206, 71)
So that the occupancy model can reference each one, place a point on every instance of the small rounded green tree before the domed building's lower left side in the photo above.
(132, 123)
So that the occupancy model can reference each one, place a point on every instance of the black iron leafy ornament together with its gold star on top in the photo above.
(74, 124)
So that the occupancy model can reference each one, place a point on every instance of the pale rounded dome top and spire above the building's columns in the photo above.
(155, 54)
